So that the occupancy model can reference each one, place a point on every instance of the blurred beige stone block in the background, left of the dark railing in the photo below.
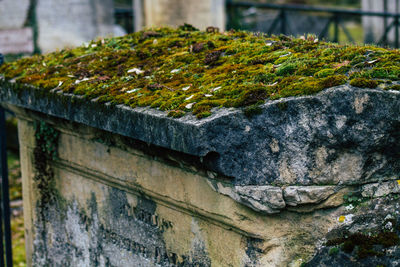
(200, 14)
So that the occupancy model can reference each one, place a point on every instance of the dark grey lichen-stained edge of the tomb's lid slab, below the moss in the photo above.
(343, 135)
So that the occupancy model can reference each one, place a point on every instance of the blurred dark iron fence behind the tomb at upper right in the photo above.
(333, 20)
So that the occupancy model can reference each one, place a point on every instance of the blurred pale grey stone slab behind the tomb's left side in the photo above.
(70, 23)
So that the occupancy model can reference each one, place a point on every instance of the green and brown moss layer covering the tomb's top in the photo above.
(185, 70)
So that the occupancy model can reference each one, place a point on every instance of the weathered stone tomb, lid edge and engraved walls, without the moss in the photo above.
(115, 186)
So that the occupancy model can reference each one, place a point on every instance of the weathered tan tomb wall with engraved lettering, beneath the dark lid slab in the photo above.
(112, 200)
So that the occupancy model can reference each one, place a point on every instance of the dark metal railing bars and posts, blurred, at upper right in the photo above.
(335, 18)
